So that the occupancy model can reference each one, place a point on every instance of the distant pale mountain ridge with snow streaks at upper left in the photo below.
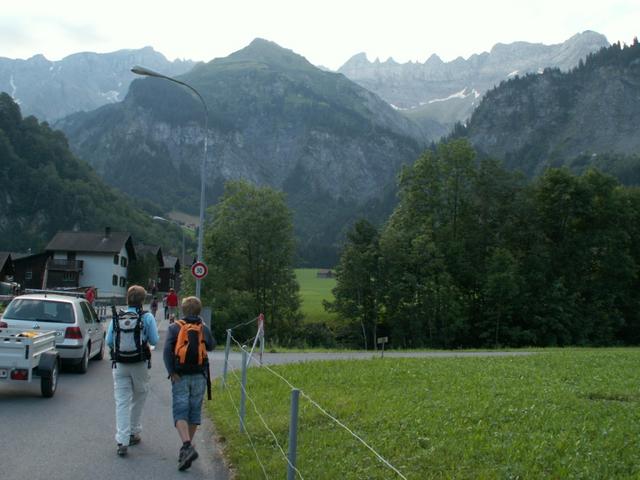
(85, 81)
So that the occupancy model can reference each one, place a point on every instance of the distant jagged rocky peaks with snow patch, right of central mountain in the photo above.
(438, 94)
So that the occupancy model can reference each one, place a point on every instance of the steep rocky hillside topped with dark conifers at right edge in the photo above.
(588, 116)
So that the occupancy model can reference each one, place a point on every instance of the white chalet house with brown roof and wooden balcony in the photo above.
(83, 259)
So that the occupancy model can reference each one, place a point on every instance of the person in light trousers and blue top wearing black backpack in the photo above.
(129, 336)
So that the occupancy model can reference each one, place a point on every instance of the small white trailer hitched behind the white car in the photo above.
(25, 354)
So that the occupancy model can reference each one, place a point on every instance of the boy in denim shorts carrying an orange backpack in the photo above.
(185, 357)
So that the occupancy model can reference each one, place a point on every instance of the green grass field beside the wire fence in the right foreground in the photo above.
(557, 414)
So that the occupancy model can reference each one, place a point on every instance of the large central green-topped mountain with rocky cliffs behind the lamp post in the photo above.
(274, 119)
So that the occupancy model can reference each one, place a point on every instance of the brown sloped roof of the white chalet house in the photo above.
(91, 242)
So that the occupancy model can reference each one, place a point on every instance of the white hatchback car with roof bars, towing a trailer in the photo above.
(79, 332)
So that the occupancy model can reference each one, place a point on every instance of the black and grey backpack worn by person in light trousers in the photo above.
(127, 338)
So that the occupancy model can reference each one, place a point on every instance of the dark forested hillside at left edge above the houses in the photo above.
(44, 188)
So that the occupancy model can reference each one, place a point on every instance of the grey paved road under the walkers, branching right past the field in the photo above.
(71, 436)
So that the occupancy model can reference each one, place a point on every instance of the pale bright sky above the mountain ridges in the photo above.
(326, 32)
